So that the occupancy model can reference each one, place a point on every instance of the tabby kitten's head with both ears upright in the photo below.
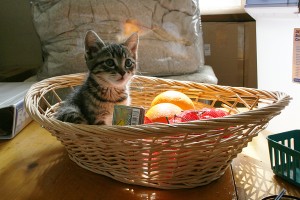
(111, 64)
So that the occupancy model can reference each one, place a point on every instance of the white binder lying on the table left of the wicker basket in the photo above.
(13, 116)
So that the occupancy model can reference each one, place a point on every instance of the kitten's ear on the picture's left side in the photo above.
(93, 44)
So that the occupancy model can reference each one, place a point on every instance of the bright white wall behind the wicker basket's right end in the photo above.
(275, 29)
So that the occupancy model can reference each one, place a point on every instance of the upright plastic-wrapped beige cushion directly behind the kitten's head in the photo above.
(170, 36)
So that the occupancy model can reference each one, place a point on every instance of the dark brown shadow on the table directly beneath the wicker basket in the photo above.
(63, 179)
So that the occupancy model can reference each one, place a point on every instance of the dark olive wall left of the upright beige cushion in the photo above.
(19, 43)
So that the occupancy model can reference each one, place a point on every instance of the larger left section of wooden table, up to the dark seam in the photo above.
(34, 165)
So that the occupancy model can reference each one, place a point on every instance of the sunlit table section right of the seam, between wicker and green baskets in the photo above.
(253, 175)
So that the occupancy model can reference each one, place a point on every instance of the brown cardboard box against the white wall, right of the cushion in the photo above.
(230, 48)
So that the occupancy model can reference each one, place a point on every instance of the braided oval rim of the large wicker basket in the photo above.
(283, 100)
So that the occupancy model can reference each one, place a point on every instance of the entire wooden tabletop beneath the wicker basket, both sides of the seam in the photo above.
(34, 165)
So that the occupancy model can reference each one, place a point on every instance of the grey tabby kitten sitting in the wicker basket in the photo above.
(111, 66)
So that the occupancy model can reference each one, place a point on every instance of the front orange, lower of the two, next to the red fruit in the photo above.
(159, 112)
